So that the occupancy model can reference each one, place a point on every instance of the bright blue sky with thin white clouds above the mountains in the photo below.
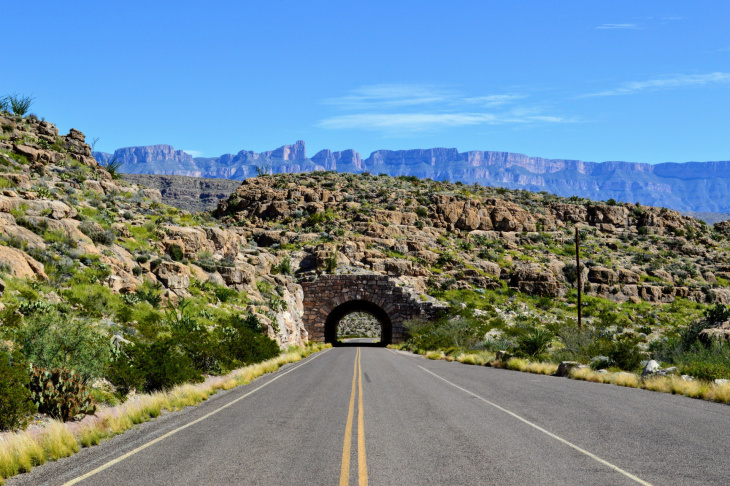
(641, 81)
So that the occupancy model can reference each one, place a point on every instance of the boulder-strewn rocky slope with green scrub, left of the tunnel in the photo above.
(77, 236)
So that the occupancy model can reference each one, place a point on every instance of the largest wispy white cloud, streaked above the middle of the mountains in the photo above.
(405, 108)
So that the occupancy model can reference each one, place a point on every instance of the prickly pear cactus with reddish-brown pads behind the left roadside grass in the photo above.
(60, 393)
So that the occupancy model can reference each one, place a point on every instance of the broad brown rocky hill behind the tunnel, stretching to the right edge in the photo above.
(448, 235)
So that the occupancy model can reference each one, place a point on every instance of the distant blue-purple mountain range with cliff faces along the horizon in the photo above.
(688, 187)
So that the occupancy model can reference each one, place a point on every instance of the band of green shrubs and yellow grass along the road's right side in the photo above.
(510, 330)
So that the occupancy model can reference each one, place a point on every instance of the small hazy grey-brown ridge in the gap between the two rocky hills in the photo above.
(194, 194)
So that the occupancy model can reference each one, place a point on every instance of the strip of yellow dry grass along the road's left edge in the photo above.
(21, 451)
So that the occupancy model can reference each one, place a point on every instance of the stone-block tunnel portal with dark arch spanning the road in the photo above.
(332, 297)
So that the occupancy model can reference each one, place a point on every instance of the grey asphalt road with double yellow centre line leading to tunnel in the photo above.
(375, 416)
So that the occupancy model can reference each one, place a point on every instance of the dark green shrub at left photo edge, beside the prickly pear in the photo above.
(16, 403)
